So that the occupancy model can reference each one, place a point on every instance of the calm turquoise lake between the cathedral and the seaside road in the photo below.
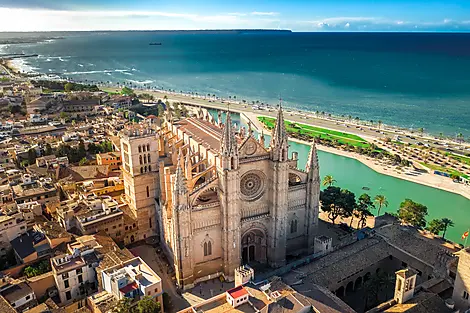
(353, 175)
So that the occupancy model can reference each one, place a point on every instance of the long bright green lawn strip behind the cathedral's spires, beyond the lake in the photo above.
(313, 131)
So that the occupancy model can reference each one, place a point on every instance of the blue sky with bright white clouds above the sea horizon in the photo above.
(298, 15)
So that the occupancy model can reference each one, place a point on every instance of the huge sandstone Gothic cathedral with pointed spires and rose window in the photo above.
(223, 199)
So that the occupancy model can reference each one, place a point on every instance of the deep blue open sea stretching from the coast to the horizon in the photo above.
(410, 80)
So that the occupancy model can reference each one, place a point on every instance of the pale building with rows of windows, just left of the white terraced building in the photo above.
(74, 274)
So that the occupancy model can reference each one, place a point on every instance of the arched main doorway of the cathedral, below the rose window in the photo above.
(254, 247)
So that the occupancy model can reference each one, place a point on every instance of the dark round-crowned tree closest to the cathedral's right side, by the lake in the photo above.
(337, 202)
